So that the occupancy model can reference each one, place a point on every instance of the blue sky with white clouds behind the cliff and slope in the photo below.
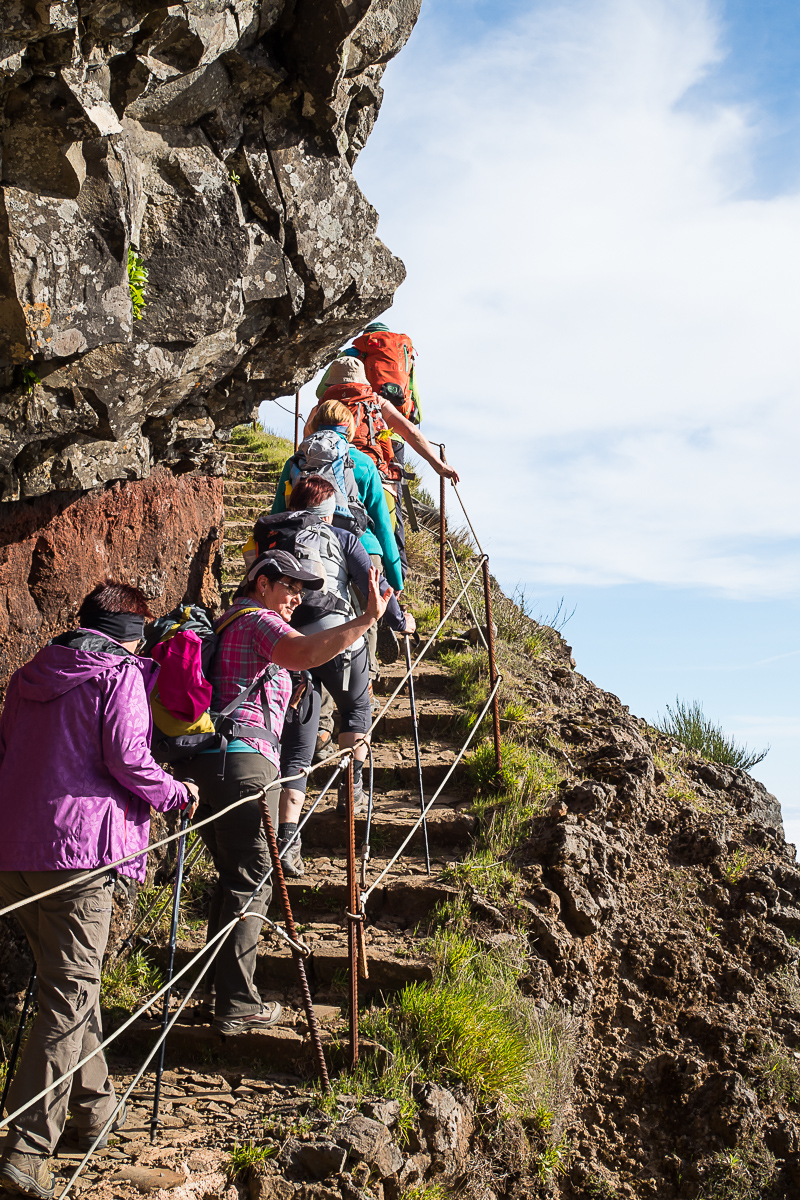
(600, 215)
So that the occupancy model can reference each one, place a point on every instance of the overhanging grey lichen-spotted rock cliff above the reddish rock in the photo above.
(216, 139)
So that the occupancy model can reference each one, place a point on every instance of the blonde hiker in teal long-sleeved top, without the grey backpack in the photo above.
(335, 416)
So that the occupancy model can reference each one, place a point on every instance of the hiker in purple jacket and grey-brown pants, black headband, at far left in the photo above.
(77, 783)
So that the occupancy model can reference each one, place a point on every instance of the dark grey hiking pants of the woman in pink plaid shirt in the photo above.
(238, 847)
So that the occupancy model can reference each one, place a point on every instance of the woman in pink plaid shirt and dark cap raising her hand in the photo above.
(255, 645)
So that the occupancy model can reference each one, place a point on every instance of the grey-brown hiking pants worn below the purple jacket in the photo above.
(68, 935)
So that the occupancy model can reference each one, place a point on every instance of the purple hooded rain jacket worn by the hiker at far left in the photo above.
(77, 778)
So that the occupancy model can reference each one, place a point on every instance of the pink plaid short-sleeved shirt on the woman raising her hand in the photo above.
(245, 651)
